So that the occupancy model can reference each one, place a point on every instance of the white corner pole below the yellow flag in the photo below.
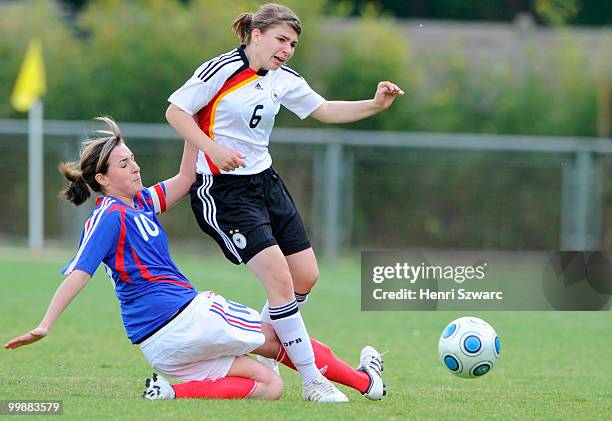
(35, 176)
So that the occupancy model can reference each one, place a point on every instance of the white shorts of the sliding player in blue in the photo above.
(202, 342)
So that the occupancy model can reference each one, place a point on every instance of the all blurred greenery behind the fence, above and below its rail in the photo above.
(124, 59)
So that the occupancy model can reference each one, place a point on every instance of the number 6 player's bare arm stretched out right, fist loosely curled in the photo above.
(349, 111)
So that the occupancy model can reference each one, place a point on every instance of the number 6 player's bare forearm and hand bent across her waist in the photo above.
(224, 158)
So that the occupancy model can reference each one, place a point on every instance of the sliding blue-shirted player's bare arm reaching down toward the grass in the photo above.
(64, 294)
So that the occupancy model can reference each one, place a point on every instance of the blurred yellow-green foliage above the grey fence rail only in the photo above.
(125, 58)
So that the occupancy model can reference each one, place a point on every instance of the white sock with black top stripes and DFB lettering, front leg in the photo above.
(289, 326)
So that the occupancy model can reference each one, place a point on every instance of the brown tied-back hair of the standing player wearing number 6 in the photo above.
(266, 16)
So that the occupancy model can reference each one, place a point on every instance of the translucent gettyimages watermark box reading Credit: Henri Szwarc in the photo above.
(443, 280)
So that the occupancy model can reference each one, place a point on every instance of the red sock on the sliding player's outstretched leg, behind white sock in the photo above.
(332, 367)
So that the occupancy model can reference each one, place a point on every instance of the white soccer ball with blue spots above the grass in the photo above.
(469, 347)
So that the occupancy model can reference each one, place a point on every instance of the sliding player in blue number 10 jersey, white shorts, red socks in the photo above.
(199, 339)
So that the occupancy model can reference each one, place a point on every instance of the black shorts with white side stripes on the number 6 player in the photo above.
(246, 214)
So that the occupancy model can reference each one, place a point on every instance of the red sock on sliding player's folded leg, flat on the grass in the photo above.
(223, 388)
